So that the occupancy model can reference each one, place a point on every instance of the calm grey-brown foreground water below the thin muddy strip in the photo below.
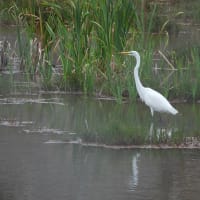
(31, 169)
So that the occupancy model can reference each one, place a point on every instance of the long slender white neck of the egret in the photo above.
(138, 83)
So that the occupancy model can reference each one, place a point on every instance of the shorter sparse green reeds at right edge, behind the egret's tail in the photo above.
(185, 79)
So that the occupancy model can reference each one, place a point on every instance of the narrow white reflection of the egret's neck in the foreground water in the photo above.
(135, 172)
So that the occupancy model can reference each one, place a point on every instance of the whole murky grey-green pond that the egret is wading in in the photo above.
(68, 146)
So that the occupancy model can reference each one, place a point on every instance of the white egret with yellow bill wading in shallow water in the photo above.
(153, 99)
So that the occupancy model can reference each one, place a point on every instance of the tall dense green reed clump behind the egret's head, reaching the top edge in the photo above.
(86, 36)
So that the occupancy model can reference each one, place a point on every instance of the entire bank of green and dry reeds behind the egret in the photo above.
(74, 45)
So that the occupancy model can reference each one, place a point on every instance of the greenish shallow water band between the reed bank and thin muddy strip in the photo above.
(84, 120)
